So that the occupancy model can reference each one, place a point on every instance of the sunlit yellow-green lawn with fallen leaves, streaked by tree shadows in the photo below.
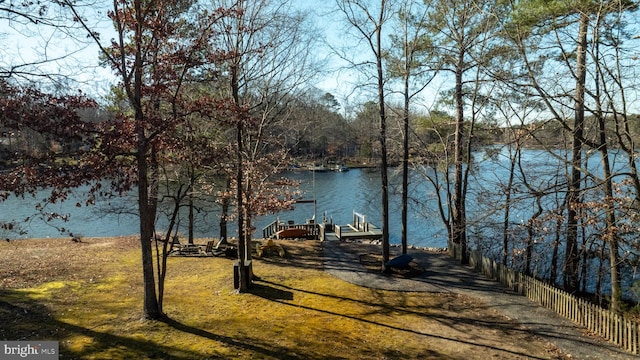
(87, 296)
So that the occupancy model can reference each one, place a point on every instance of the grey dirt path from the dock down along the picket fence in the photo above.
(443, 274)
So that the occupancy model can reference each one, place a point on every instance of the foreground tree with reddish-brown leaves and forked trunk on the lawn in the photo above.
(159, 46)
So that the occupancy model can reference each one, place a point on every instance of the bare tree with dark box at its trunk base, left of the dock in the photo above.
(269, 45)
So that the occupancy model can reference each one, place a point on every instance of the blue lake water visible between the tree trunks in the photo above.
(339, 194)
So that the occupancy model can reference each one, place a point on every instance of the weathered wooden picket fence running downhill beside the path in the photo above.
(615, 328)
